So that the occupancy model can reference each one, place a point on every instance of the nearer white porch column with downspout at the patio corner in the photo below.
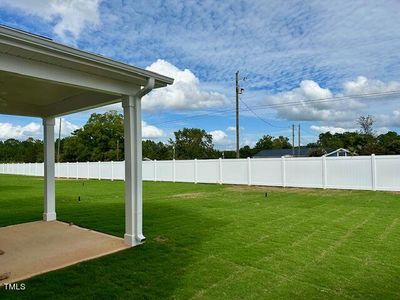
(133, 170)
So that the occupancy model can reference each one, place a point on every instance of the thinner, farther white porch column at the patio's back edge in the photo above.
(49, 170)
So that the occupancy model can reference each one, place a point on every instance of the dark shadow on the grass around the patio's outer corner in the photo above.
(152, 270)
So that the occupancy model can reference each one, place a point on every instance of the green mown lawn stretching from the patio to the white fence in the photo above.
(221, 242)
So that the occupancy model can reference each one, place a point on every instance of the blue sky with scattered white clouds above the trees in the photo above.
(289, 52)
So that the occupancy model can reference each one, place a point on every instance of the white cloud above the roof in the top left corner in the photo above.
(69, 16)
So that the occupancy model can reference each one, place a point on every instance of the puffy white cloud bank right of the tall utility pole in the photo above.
(346, 109)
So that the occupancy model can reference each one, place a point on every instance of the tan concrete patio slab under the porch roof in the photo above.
(34, 248)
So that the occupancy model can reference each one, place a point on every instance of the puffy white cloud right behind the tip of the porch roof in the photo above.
(184, 93)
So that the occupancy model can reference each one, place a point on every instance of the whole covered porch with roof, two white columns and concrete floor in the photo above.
(40, 78)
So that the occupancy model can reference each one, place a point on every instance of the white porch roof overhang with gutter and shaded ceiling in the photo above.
(39, 77)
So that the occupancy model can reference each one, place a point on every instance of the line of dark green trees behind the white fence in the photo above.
(102, 139)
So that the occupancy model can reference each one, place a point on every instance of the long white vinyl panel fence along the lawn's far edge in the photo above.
(351, 172)
